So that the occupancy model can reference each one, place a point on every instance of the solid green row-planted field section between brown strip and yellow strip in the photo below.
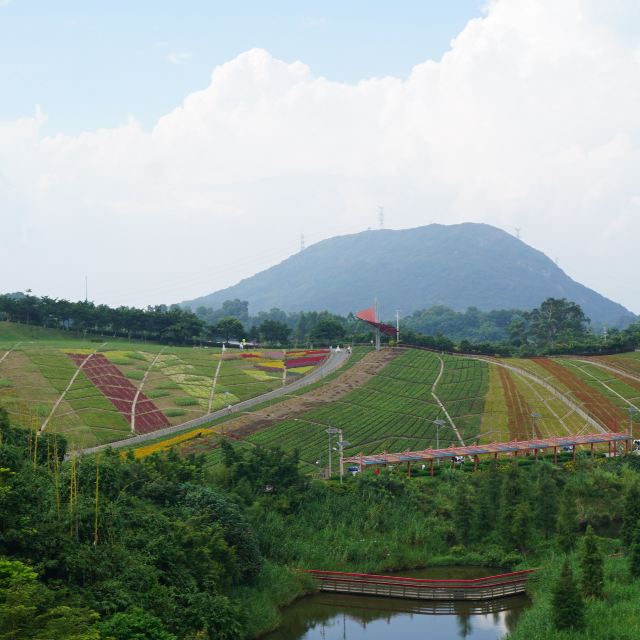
(395, 410)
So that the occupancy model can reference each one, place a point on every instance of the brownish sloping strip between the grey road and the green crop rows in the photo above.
(251, 422)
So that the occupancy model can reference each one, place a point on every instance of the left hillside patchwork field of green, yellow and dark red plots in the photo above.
(98, 392)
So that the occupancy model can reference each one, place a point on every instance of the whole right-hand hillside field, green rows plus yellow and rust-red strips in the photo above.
(478, 399)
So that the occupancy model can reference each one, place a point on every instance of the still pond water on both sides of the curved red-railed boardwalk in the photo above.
(329, 616)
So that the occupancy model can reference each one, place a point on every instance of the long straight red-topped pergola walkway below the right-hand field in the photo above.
(513, 448)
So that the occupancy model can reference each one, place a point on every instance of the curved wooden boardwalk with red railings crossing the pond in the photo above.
(487, 588)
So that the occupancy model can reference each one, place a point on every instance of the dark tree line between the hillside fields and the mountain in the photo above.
(557, 326)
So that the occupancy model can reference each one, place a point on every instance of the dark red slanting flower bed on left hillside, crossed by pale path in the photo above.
(121, 392)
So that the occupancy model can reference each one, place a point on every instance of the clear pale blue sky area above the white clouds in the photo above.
(92, 64)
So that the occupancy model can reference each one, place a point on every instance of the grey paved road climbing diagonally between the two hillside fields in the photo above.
(333, 362)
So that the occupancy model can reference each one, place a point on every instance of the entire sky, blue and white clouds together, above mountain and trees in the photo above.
(167, 150)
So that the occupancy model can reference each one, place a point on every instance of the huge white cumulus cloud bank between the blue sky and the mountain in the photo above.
(530, 120)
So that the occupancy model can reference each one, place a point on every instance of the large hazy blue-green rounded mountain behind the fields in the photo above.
(459, 266)
